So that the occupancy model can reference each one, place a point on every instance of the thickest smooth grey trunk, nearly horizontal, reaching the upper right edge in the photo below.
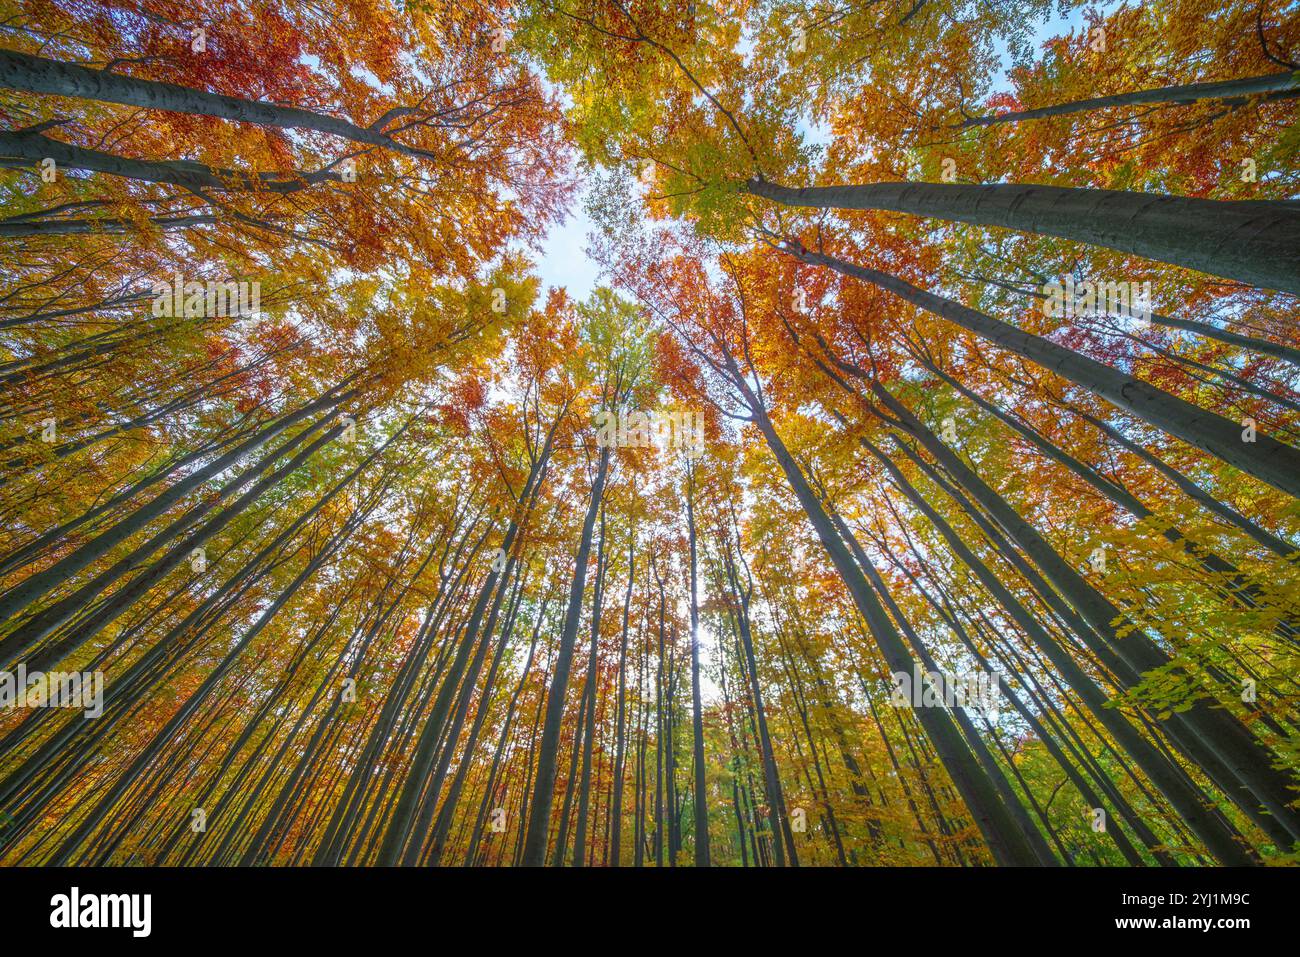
(1256, 243)
